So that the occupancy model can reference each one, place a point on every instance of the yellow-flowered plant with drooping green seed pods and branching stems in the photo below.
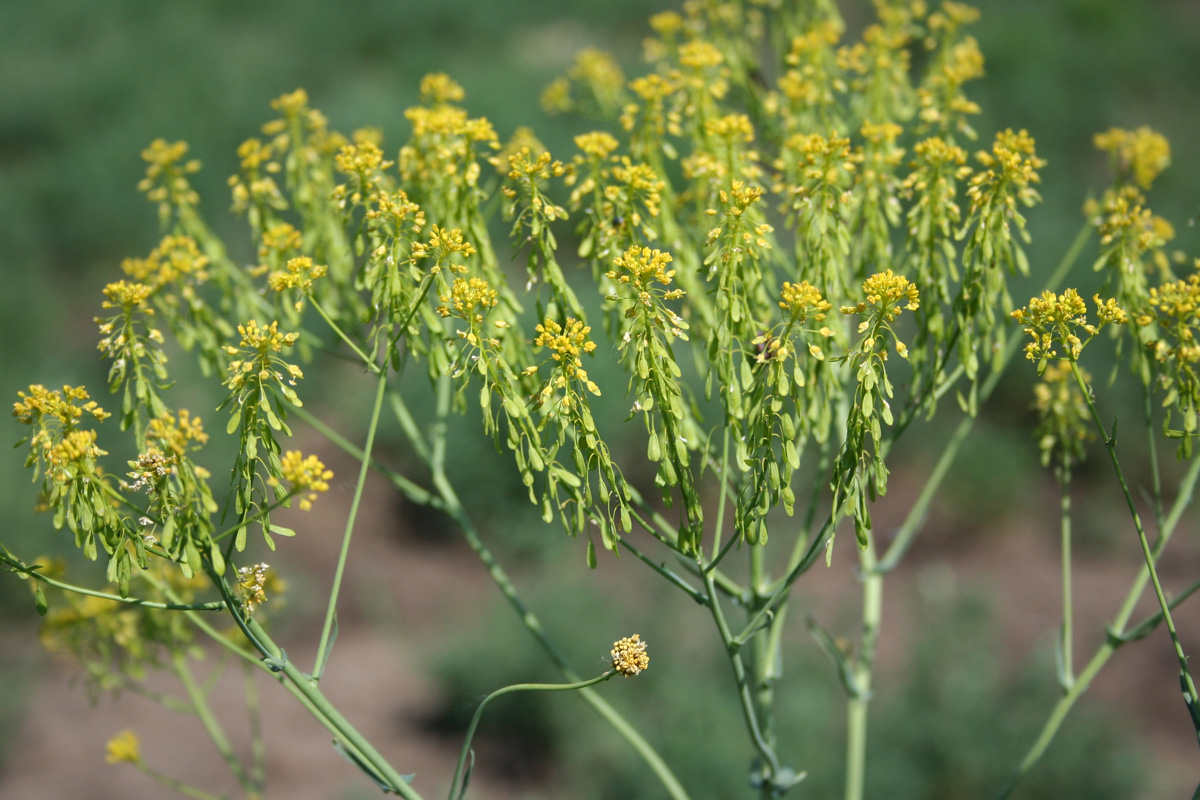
(791, 258)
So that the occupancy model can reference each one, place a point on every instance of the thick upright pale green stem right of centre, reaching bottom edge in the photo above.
(857, 702)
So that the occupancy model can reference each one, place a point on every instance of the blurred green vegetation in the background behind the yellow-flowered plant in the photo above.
(86, 86)
